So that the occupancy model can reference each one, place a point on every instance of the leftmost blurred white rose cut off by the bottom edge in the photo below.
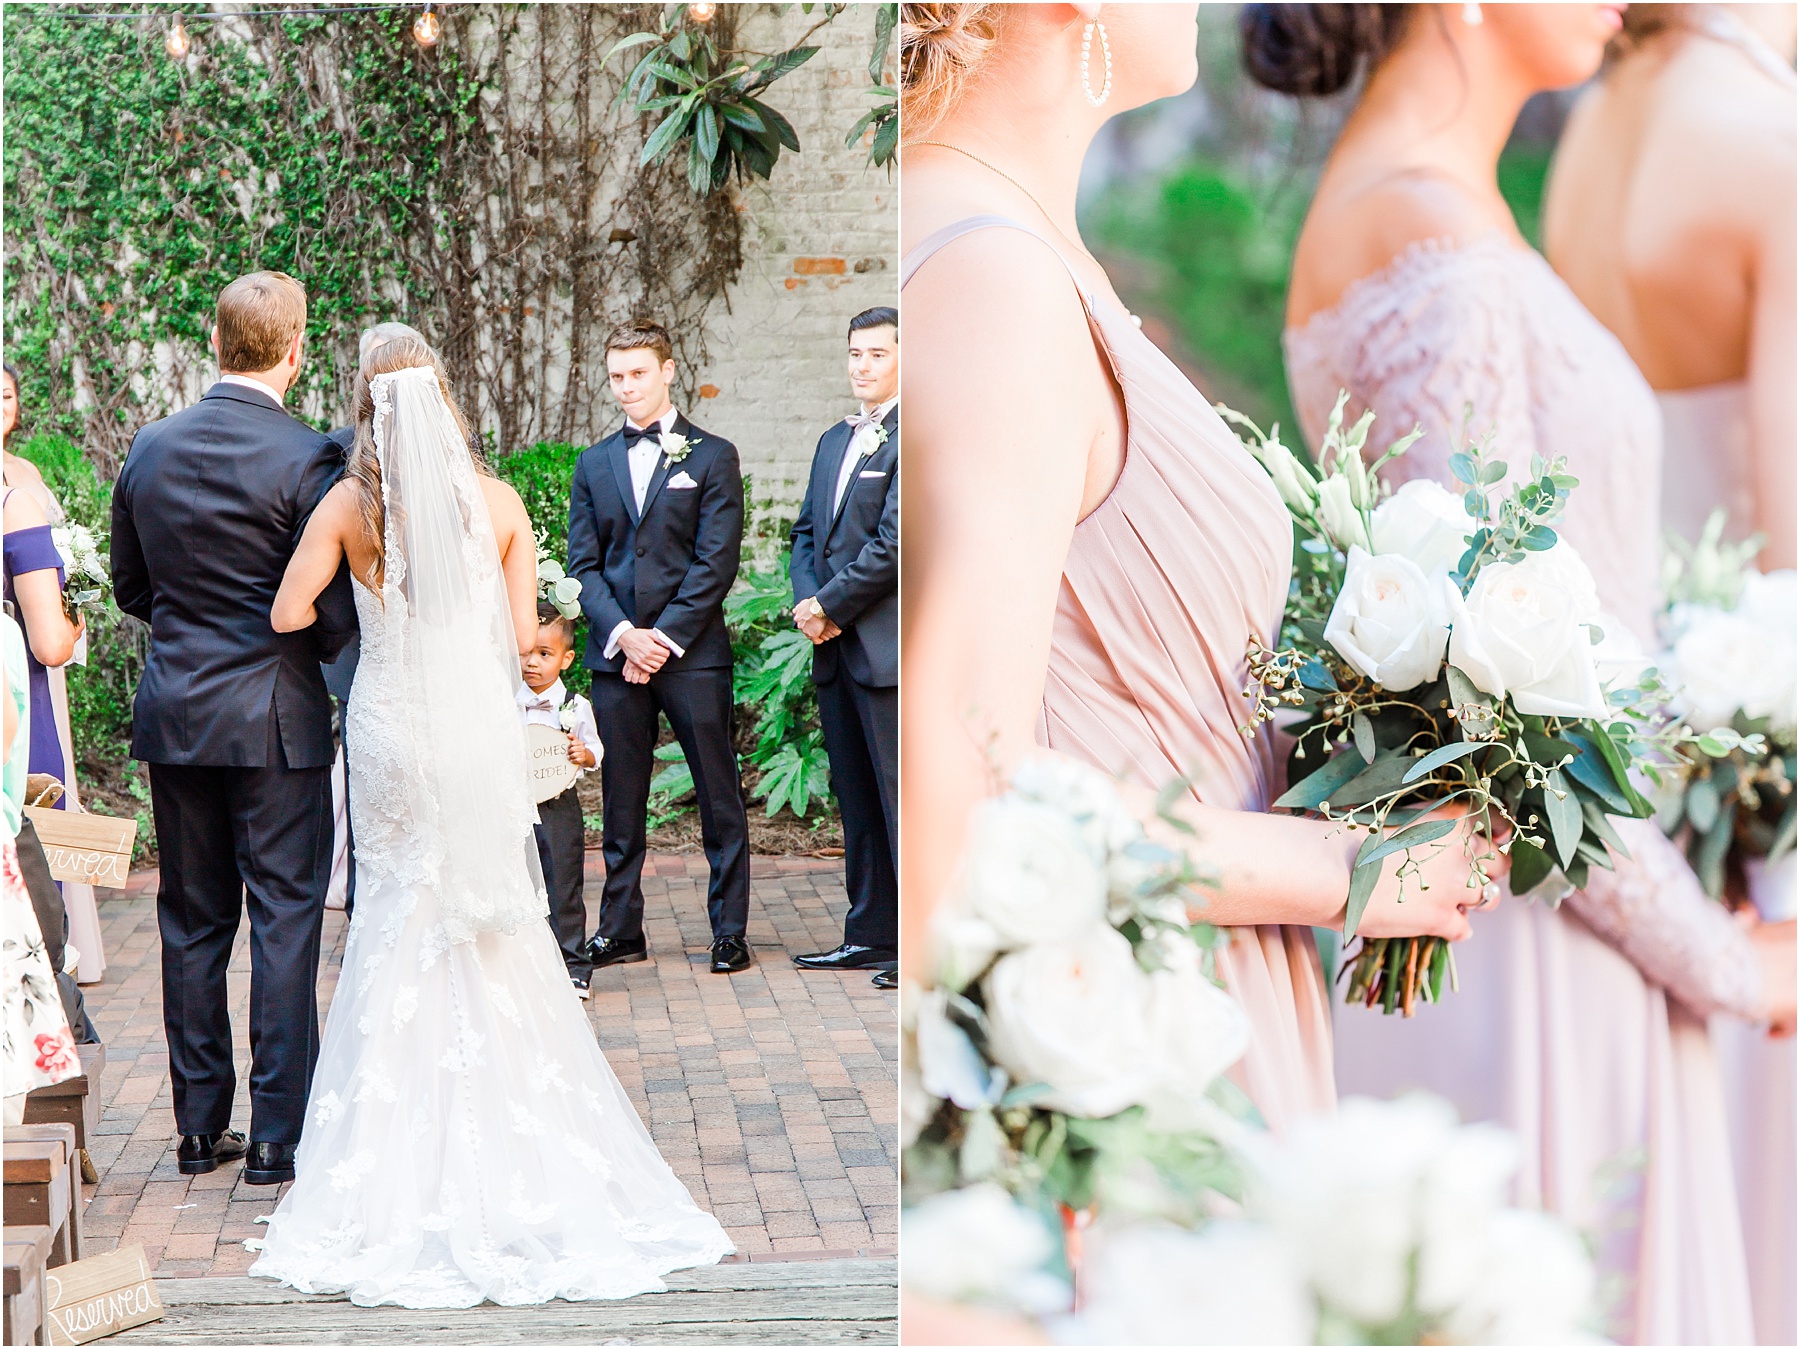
(1230, 1283)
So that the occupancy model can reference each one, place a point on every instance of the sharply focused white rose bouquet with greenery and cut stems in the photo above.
(1437, 649)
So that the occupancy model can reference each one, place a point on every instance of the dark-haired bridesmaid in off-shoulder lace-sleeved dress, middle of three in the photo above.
(1581, 1028)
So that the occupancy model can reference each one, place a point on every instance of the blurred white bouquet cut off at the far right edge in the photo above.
(1731, 651)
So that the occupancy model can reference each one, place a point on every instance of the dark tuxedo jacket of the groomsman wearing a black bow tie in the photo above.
(663, 568)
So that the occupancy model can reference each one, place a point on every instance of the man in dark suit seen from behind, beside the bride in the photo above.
(235, 723)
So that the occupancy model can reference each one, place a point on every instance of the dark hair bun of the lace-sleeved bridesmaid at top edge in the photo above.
(1315, 51)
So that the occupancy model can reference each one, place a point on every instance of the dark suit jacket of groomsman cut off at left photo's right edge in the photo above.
(849, 556)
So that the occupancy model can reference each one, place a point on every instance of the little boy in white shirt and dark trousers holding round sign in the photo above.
(562, 837)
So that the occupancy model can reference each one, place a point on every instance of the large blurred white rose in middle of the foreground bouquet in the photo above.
(1074, 1015)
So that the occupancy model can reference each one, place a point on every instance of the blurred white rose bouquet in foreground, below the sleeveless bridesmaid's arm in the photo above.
(1074, 1046)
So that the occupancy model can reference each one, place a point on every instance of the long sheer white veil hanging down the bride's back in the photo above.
(447, 635)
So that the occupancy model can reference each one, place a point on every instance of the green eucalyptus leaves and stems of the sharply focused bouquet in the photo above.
(1538, 788)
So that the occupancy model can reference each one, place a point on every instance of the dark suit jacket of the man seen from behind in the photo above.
(206, 514)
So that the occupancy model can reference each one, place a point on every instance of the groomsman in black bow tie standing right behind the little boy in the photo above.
(656, 529)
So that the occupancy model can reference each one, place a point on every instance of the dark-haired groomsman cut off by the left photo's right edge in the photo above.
(847, 599)
